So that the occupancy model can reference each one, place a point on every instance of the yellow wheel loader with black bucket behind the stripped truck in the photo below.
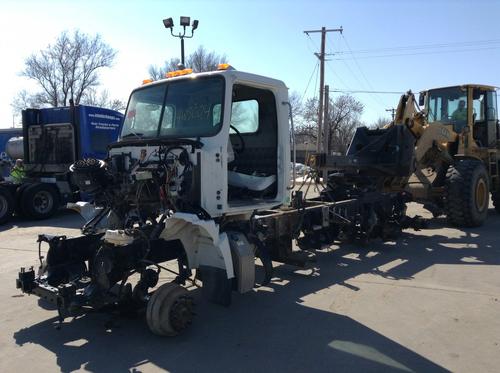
(445, 155)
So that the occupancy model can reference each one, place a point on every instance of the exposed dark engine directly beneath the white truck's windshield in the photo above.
(135, 192)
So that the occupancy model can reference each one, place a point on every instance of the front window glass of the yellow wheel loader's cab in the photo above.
(448, 105)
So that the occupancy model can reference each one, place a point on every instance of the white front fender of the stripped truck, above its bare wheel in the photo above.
(203, 244)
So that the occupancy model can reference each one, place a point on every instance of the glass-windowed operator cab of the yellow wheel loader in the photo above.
(467, 106)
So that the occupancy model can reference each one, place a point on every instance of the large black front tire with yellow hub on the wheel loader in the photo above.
(467, 193)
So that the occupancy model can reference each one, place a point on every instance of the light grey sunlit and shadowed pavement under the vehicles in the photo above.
(428, 302)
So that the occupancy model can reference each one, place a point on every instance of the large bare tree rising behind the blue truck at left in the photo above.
(68, 68)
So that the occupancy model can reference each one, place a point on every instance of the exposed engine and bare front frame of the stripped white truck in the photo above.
(134, 197)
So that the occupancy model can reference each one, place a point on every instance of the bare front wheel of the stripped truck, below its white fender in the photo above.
(170, 310)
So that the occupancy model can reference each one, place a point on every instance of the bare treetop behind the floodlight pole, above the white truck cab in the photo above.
(200, 60)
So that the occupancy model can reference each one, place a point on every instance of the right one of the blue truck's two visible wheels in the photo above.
(40, 201)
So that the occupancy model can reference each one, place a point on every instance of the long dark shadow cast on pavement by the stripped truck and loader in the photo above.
(269, 329)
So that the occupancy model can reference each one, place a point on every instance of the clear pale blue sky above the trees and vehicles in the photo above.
(266, 37)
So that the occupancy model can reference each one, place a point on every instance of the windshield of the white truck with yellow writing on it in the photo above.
(183, 108)
